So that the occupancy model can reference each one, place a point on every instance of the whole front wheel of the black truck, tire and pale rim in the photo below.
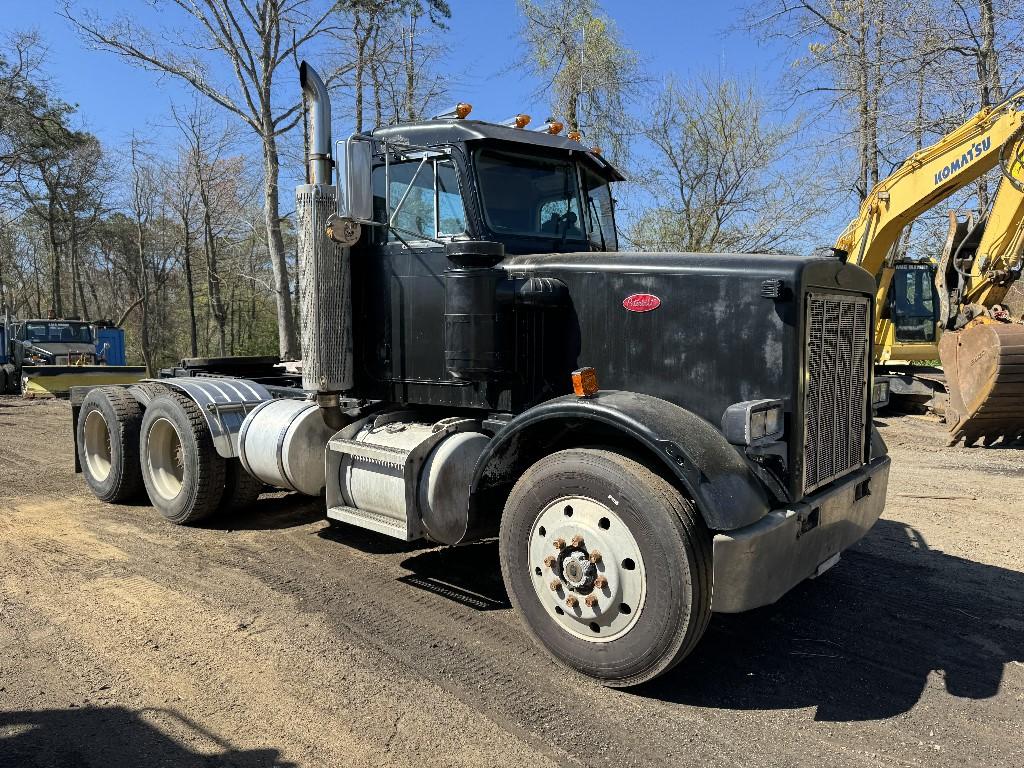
(609, 565)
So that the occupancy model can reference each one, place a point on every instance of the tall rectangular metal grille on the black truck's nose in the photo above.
(836, 405)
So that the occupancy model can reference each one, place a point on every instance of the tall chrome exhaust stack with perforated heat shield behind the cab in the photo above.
(325, 277)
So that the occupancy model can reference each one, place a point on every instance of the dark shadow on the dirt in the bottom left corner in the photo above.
(117, 738)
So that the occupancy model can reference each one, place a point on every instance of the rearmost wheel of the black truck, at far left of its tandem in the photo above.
(107, 441)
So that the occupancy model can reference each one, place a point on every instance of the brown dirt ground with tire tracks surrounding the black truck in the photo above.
(272, 639)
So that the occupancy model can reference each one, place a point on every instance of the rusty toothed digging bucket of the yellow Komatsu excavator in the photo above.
(985, 367)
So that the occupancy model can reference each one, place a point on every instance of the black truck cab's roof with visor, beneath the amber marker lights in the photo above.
(451, 131)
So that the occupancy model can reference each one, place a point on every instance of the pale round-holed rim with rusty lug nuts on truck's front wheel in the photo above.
(587, 570)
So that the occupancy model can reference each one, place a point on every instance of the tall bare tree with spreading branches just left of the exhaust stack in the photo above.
(252, 39)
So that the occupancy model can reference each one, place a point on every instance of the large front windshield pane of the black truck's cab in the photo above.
(536, 197)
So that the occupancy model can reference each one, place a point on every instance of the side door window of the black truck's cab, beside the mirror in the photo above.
(424, 200)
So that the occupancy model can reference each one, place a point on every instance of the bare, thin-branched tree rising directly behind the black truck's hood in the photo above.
(724, 176)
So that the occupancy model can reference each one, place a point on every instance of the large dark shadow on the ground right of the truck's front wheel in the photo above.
(862, 643)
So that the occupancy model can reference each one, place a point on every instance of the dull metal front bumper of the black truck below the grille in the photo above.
(757, 565)
